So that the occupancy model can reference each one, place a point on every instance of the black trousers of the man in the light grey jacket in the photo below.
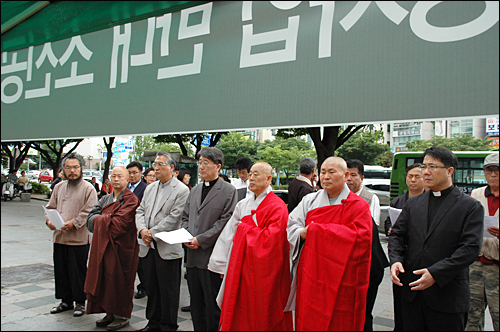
(163, 286)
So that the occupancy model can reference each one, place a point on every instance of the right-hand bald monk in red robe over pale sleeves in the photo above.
(330, 235)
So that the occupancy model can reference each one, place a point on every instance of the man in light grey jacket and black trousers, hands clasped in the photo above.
(160, 210)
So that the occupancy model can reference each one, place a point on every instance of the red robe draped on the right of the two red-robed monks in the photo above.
(334, 267)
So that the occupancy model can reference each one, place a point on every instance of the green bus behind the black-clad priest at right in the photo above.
(468, 176)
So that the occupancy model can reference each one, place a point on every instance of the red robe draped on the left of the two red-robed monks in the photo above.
(258, 275)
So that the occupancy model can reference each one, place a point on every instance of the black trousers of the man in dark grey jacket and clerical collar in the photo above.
(204, 286)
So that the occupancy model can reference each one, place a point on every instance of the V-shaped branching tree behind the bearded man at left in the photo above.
(49, 149)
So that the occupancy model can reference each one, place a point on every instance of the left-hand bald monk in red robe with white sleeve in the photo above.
(252, 253)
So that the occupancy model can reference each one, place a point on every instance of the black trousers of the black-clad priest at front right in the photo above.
(418, 316)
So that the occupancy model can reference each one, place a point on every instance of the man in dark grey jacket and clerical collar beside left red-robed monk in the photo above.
(208, 208)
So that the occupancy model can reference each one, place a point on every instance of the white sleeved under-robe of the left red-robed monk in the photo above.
(219, 261)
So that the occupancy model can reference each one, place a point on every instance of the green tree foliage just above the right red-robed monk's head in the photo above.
(367, 146)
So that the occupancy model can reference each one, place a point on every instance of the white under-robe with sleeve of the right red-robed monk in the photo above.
(297, 222)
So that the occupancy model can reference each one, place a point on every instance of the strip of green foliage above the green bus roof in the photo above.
(459, 142)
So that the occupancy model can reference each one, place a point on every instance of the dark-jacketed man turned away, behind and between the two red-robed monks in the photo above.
(303, 184)
